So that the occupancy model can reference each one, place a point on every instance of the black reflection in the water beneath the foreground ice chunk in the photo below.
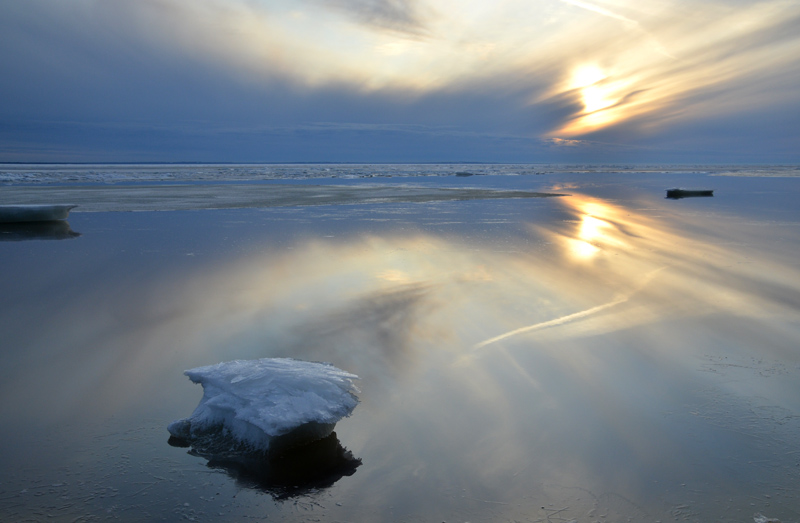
(293, 472)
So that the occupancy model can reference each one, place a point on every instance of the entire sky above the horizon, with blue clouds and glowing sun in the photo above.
(639, 81)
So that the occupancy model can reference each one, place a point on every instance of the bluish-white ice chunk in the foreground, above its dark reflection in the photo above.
(268, 403)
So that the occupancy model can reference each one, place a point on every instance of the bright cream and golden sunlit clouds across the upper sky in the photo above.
(647, 59)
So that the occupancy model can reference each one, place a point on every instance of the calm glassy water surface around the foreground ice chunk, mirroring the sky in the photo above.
(606, 356)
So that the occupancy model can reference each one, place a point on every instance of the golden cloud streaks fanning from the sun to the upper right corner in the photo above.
(727, 60)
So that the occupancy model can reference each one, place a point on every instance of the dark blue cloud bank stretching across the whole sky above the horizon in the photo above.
(79, 83)
